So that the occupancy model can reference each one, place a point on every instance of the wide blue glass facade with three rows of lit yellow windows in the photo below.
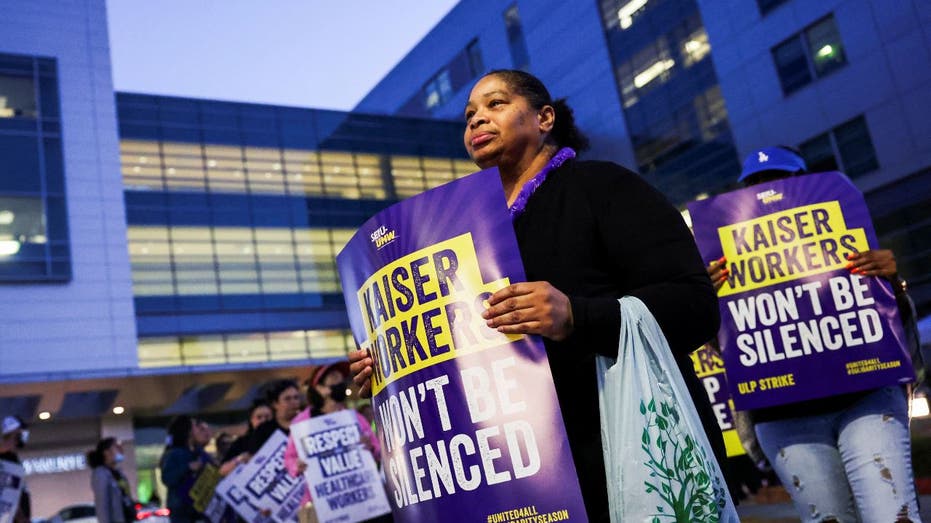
(236, 213)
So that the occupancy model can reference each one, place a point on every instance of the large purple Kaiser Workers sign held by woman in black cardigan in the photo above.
(471, 425)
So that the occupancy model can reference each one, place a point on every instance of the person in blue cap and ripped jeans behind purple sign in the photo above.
(845, 457)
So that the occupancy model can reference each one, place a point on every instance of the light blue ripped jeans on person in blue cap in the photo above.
(849, 465)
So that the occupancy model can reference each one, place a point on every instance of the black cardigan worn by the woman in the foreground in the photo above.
(597, 232)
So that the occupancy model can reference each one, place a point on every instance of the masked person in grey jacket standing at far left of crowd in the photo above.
(112, 495)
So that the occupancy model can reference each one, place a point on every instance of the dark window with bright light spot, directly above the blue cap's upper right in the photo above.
(812, 53)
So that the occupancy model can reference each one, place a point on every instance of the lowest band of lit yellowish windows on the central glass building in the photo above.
(253, 347)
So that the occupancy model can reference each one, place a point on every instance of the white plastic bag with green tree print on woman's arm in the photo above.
(659, 463)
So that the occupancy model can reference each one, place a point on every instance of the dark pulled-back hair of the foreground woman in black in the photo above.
(565, 132)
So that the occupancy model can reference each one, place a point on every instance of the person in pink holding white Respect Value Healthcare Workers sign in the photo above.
(326, 392)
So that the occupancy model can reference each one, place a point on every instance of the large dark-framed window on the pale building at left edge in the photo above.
(34, 243)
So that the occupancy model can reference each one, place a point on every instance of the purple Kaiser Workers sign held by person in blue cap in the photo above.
(795, 323)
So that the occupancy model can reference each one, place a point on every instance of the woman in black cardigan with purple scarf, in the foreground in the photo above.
(589, 233)
